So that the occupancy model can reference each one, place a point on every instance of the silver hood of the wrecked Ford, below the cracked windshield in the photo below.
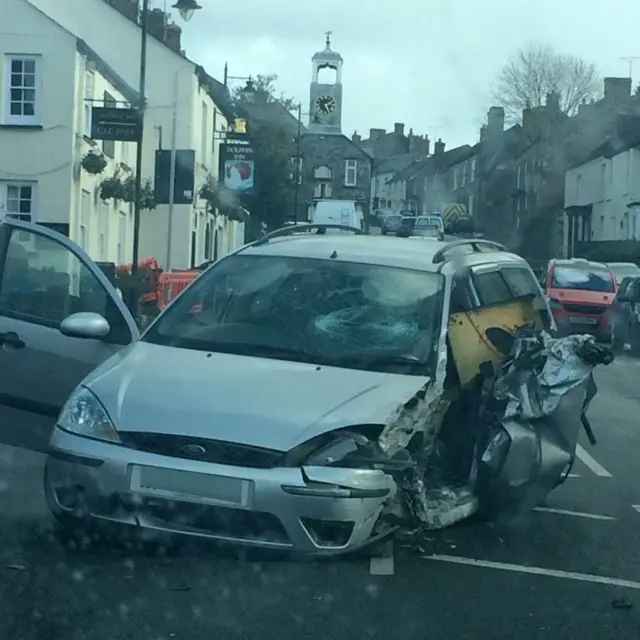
(262, 402)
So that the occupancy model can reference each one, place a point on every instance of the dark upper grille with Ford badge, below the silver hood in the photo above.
(216, 451)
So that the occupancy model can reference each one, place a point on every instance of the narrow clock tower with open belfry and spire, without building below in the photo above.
(325, 101)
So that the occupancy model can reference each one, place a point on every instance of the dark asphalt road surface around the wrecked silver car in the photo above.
(569, 570)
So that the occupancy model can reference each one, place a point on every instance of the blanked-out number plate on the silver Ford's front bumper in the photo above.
(174, 484)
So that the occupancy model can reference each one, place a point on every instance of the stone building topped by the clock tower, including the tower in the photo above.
(332, 165)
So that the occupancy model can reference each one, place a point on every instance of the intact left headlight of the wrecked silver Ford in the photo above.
(84, 415)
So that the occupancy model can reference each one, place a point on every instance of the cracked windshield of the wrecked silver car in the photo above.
(326, 312)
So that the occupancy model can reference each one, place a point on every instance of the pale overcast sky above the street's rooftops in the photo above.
(427, 63)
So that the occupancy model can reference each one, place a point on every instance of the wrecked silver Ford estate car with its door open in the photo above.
(309, 392)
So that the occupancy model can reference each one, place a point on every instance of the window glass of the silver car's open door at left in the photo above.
(43, 282)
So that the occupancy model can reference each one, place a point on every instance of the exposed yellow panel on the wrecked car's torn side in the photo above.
(469, 343)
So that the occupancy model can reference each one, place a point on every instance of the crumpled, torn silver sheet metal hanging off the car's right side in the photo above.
(540, 399)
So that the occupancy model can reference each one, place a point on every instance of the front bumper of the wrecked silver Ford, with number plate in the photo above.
(309, 510)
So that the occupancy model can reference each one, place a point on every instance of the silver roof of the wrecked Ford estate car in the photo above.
(373, 249)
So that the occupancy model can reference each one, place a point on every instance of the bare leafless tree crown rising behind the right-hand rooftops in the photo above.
(537, 70)
